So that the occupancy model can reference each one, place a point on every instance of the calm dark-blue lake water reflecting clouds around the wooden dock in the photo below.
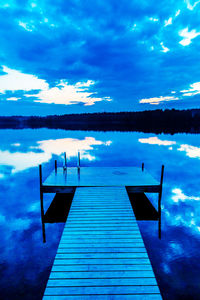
(26, 261)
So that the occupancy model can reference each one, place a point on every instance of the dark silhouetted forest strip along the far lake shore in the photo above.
(157, 121)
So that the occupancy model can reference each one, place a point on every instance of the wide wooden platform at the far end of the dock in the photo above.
(132, 177)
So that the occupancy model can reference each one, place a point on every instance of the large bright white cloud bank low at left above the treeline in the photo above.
(63, 93)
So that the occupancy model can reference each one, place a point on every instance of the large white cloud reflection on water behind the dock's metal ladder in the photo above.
(20, 161)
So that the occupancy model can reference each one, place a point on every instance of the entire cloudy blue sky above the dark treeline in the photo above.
(83, 56)
